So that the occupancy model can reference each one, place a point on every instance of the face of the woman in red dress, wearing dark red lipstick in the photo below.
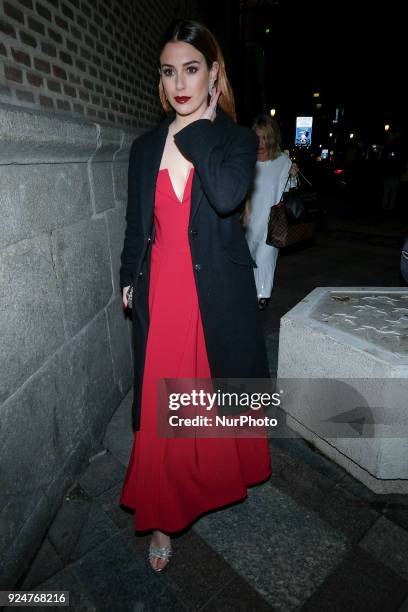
(185, 77)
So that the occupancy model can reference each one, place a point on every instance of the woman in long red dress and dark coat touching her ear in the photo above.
(170, 482)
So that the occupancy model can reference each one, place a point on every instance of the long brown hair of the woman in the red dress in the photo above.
(197, 35)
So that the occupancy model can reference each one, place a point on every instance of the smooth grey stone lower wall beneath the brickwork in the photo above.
(65, 358)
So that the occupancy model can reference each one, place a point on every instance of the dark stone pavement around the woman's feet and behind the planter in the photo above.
(312, 538)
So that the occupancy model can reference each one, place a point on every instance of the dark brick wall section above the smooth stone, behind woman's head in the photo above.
(86, 57)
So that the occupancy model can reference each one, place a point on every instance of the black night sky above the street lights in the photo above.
(353, 52)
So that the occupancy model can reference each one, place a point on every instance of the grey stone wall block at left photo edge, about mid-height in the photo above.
(31, 325)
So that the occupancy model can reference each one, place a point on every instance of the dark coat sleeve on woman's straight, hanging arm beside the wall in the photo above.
(133, 231)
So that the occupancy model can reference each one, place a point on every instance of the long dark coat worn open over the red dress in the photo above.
(224, 156)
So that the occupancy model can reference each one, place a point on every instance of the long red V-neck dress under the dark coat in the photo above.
(172, 481)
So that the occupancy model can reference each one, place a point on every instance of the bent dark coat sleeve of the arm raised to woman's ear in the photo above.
(225, 180)
